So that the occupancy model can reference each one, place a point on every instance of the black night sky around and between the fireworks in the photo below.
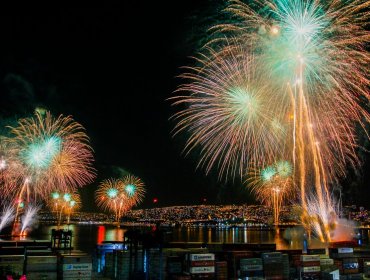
(112, 68)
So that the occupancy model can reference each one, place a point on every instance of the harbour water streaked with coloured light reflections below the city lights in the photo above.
(85, 237)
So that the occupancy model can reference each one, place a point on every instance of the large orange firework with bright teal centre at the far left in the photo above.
(49, 153)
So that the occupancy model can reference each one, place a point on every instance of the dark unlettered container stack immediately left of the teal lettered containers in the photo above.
(41, 267)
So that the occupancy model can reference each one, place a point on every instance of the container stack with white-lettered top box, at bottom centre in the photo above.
(201, 265)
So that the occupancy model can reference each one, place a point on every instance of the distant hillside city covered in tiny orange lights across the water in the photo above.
(182, 215)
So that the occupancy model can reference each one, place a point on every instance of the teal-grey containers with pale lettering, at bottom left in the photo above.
(75, 266)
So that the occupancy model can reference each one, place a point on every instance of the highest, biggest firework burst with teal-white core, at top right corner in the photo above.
(314, 51)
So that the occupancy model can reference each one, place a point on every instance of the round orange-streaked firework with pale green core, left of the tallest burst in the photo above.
(231, 113)
